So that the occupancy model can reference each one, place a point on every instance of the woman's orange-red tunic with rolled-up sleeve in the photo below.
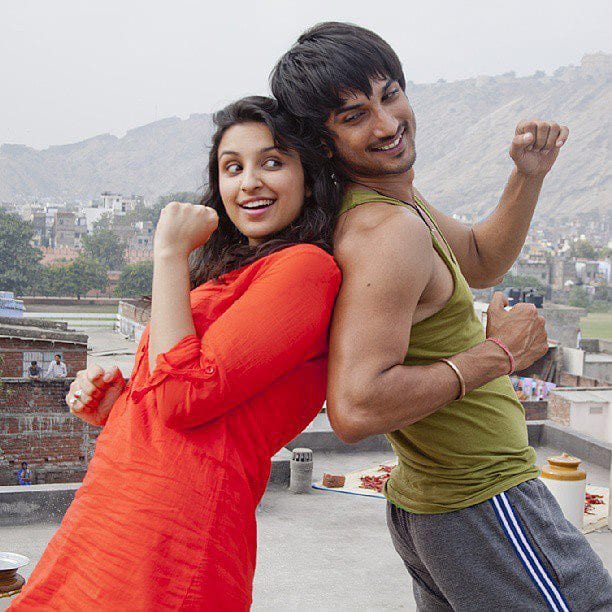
(165, 517)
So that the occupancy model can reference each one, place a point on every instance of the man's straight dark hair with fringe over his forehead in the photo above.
(328, 60)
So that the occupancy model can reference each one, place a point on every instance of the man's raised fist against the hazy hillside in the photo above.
(536, 145)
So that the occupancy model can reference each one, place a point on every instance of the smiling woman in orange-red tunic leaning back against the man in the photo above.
(225, 376)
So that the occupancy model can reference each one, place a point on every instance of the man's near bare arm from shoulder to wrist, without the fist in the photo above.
(386, 258)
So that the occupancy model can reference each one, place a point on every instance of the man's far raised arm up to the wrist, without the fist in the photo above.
(487, 250)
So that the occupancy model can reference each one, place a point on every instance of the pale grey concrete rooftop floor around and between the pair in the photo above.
(320, 551)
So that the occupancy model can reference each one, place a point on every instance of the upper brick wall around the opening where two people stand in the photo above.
(12, 349)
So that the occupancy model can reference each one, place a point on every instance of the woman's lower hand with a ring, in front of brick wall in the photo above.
(93, 393)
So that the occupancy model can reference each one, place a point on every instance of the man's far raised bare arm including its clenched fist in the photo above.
(487, 250)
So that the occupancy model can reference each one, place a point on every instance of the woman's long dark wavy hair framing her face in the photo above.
(228, 249)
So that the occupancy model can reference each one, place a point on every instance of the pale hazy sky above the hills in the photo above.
(71, 69)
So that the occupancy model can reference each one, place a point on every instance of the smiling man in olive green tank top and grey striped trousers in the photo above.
(474, 526)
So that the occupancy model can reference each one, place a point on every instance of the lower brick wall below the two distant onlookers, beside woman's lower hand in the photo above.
(36, 426)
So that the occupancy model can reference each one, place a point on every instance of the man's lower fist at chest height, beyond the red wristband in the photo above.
(521, 329)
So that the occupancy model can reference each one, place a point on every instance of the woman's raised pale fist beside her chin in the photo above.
(183, 227)
